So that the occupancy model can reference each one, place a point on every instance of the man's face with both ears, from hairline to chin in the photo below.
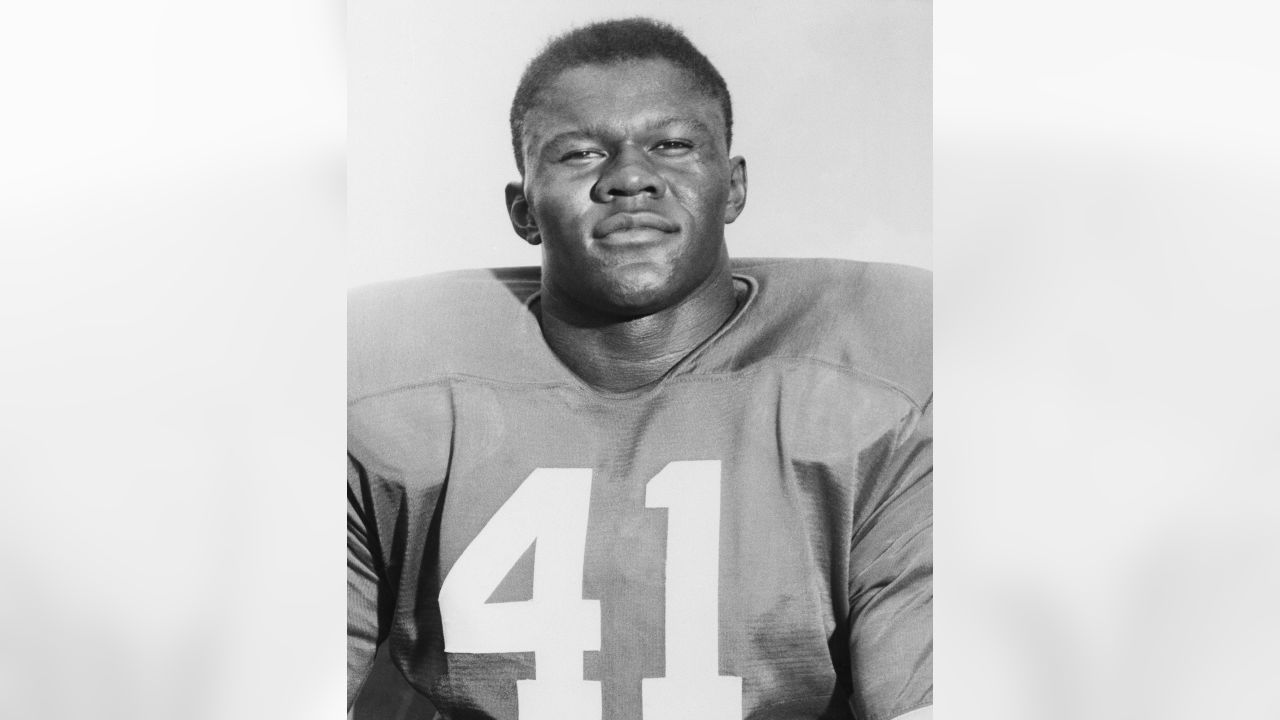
(628, 188)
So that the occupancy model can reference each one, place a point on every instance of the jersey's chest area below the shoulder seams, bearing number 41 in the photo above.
(691, 549)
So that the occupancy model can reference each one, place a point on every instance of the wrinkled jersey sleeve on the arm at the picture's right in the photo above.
(892, 585)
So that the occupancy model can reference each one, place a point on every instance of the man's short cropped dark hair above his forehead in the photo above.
(615, 42)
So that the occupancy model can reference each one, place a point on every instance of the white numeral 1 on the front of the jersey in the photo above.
(693, 687)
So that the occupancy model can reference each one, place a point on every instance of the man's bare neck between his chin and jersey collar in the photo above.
(623, 354)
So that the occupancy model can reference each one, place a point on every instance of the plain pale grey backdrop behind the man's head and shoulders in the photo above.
(831, 111)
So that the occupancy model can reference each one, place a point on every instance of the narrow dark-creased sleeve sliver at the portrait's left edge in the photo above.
(364, 627)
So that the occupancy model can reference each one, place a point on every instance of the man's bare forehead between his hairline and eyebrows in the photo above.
(621, 95)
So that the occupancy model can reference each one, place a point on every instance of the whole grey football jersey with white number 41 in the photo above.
(748, 537)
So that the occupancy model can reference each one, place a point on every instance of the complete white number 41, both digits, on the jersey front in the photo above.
(551, 508)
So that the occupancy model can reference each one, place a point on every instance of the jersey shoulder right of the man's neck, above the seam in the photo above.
(872, 318)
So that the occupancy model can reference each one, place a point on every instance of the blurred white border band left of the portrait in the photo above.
(173, 353)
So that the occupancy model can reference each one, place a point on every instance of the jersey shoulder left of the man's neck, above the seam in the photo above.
(406, 332)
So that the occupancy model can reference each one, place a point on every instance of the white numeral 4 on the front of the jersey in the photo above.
(551, 508)
